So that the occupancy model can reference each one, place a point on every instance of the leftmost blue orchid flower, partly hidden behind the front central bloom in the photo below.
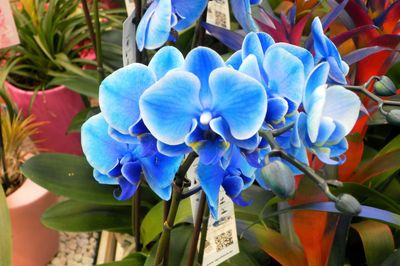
(112, 133)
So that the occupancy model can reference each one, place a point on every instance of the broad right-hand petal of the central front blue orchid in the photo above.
(240, 100)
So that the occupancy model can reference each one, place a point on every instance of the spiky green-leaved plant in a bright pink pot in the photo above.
(44, 72)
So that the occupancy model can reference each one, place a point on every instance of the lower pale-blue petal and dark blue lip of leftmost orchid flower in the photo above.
(118, 163)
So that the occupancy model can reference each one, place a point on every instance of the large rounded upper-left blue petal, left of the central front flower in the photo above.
(119, 95)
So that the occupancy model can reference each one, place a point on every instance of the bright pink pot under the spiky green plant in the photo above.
(57, 107)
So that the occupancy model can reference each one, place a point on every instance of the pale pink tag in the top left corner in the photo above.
(8, 32)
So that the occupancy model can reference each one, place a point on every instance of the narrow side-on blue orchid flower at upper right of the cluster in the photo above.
(326, 51)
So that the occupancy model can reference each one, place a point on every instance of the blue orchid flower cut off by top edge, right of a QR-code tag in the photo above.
(242, 12)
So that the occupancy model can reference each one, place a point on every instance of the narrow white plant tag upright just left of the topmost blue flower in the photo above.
(128, 40)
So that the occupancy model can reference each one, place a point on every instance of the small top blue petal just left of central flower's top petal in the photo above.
(165, 59)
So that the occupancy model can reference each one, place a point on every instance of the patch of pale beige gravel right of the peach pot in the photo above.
(76, 249)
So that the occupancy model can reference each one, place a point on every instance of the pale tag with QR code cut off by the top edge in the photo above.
(218, 13)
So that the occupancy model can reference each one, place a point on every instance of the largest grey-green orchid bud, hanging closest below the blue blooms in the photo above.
(279, 178)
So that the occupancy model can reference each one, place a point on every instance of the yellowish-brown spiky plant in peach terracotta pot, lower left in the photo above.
(25, 200)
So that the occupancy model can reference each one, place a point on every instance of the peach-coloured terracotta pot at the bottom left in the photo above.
(33, 244)
